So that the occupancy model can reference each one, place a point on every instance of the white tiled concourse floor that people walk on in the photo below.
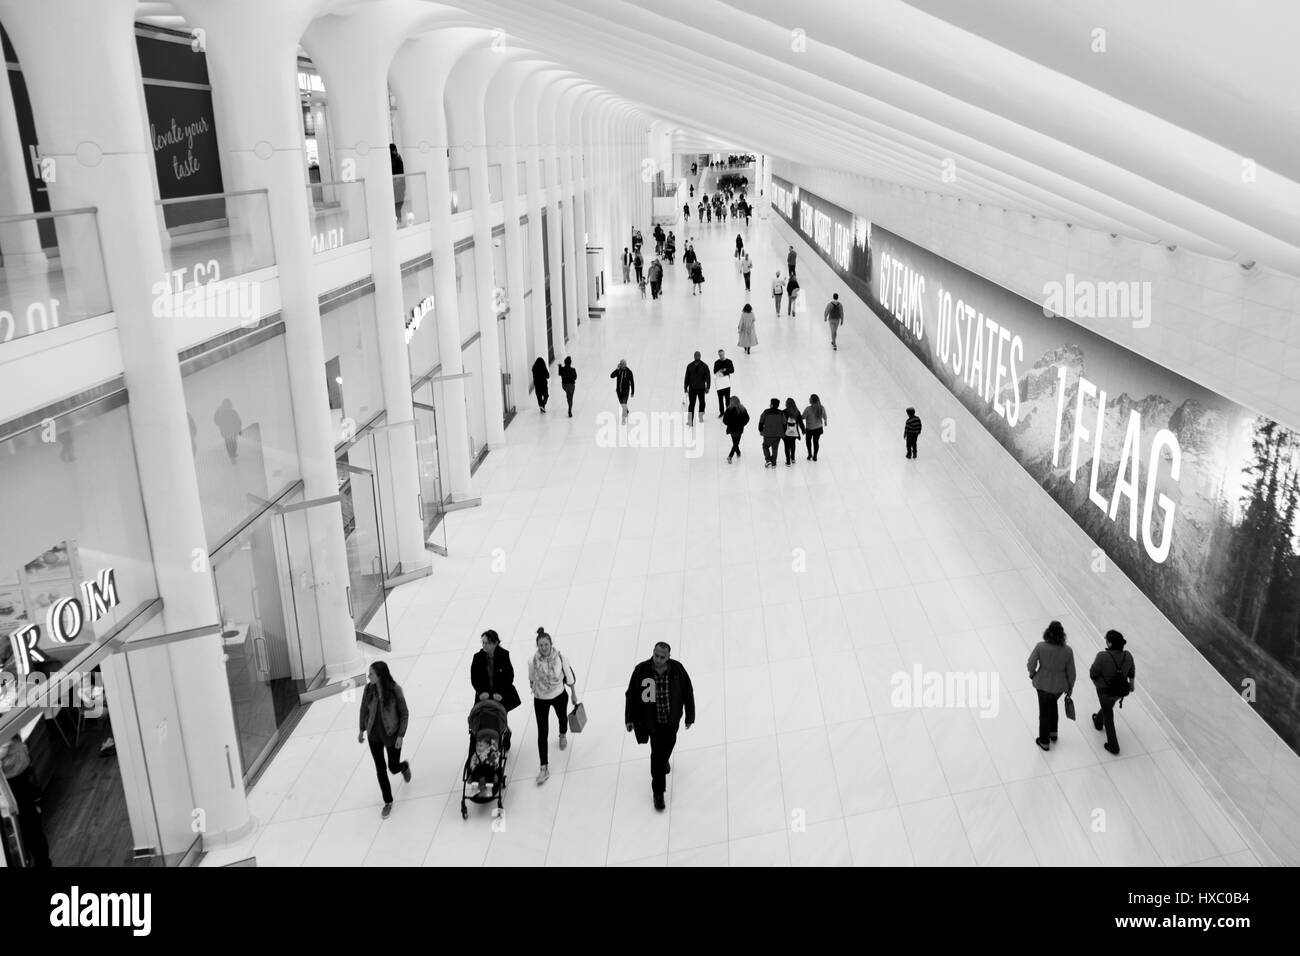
(799, 755)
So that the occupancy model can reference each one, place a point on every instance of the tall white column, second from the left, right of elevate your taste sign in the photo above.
(259, 128)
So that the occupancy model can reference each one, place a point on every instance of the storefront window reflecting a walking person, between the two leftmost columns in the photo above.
(241, 429)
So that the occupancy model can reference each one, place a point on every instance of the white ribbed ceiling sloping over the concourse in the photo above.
(1186, 129)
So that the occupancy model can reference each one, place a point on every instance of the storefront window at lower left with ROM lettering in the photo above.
(71, 513)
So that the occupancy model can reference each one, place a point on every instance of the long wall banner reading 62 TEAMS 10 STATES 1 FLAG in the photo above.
(1195, 498)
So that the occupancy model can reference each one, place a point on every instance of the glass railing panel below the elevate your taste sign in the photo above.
(215, 237)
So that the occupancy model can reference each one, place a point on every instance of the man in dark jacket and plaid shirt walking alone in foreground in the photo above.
(658, 695)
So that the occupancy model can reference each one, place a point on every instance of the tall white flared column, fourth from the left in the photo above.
(419, 77)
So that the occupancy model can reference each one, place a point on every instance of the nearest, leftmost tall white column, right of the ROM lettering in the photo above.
(180, 720)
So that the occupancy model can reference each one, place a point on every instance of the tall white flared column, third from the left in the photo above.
(353, 55)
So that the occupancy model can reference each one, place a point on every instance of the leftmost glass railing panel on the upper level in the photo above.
(51, 272)
